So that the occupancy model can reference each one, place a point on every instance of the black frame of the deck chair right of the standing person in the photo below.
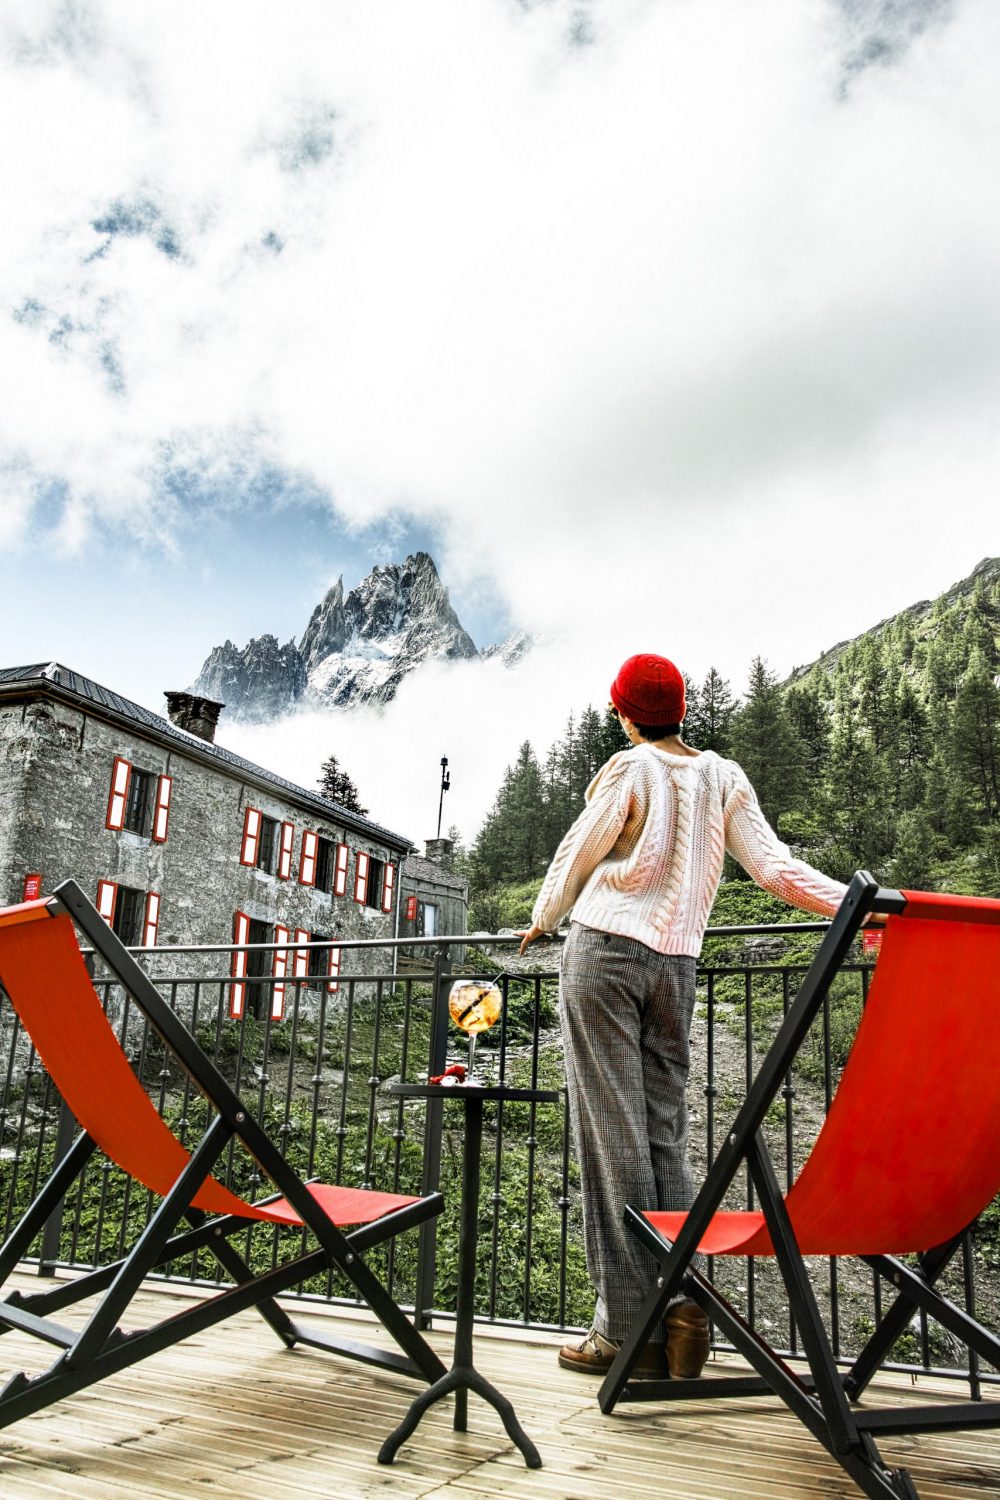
(822, 1400)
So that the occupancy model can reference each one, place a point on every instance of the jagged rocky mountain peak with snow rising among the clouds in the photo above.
(356, 649)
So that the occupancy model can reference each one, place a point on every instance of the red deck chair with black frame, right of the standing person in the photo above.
(908, 1157)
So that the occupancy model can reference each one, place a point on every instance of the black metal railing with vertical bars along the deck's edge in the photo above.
(311, 1055)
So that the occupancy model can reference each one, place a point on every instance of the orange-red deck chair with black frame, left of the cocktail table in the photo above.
(43, 973)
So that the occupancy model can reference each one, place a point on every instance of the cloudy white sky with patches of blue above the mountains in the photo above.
(662, 326)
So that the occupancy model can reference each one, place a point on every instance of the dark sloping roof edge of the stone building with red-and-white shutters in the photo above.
(61, 682)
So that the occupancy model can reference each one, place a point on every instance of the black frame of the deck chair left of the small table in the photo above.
(178, 1229)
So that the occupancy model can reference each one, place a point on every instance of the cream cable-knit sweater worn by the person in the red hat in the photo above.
(645, 857)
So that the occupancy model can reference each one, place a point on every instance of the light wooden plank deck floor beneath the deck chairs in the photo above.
(238, 1415)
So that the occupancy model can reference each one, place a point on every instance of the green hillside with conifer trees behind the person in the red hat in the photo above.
(885, 754)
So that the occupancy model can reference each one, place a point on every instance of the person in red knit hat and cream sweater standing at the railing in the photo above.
(639, 869)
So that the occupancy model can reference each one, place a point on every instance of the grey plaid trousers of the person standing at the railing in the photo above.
(626, 1016)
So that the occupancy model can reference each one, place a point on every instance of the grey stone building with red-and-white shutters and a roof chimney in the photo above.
(179, 841)
